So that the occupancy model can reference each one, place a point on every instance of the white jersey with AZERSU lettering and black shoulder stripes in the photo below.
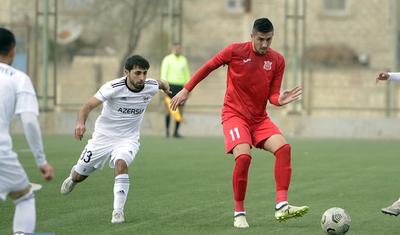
(123, 109)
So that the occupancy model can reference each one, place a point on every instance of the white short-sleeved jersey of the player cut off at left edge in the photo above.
(16, 96)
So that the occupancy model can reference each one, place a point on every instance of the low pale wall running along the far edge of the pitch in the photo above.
(209, 124)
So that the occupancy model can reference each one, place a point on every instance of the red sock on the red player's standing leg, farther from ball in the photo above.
(239, 180)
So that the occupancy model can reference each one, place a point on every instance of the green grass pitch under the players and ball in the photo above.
(184, 187)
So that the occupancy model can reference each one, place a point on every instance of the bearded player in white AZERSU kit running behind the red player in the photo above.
(117, 129)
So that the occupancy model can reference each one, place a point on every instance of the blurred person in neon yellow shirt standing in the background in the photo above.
(175, 70)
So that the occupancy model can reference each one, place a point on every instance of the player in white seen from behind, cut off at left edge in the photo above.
(18, 97)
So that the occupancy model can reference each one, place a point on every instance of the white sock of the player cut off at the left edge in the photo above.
(25, 214)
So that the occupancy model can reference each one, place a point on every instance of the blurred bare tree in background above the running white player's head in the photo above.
(114, 27)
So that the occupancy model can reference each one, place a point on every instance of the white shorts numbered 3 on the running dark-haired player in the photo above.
(101, 149)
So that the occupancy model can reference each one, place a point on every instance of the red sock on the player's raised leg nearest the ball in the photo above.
(282, 172)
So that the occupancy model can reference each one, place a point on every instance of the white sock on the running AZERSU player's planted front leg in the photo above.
(121, 189)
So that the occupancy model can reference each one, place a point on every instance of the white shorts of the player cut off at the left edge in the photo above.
(12, 175)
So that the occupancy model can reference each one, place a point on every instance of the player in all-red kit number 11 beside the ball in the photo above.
(255, 74)
